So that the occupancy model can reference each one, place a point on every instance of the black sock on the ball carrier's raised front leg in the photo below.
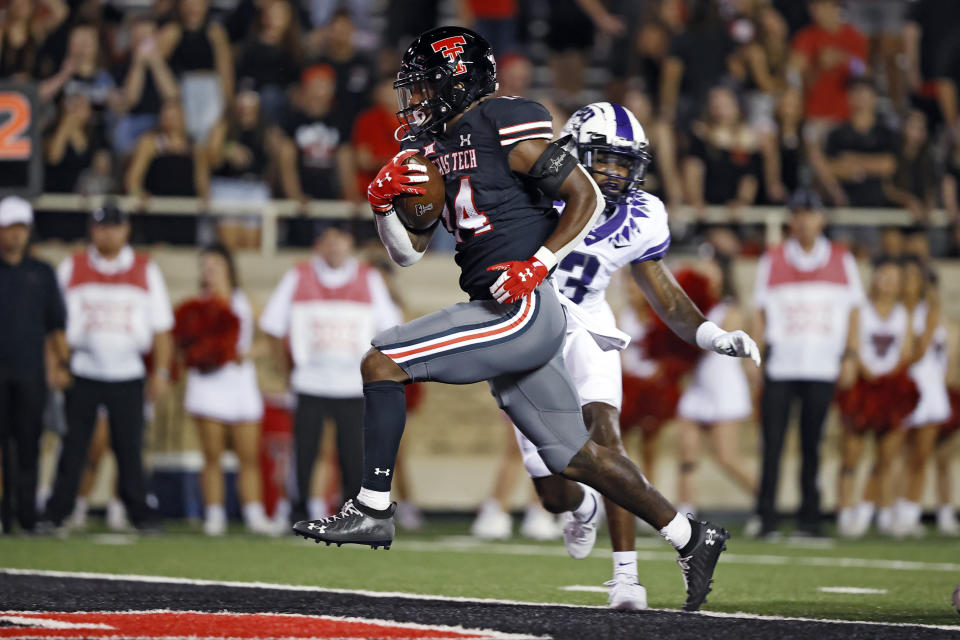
(384, 416)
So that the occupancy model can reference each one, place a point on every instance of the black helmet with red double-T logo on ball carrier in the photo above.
(441, 74)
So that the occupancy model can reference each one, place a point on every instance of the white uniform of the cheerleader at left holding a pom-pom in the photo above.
(229, 394)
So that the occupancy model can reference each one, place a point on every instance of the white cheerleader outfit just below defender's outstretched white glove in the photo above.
(718, 391)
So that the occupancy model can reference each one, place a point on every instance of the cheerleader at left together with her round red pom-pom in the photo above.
(222, 395)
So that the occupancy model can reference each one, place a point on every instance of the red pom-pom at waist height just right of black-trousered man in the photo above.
(879, 404)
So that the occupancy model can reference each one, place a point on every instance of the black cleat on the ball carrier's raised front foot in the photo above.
(355, 524)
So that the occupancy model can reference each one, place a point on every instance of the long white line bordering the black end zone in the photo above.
(420, 596)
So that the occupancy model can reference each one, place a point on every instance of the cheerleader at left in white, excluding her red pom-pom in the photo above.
(226, 403)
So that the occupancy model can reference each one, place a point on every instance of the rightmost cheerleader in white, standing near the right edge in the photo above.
(929, 372)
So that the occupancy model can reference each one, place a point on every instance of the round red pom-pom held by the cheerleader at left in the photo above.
(206, 331)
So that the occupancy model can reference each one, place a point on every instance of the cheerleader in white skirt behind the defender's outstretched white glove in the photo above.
(717, 399)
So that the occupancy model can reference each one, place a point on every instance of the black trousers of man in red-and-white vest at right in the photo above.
(778, 396)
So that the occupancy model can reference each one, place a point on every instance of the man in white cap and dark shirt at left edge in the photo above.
(32, 321)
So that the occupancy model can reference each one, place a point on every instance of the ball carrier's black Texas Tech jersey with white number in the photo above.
(493, 213)
